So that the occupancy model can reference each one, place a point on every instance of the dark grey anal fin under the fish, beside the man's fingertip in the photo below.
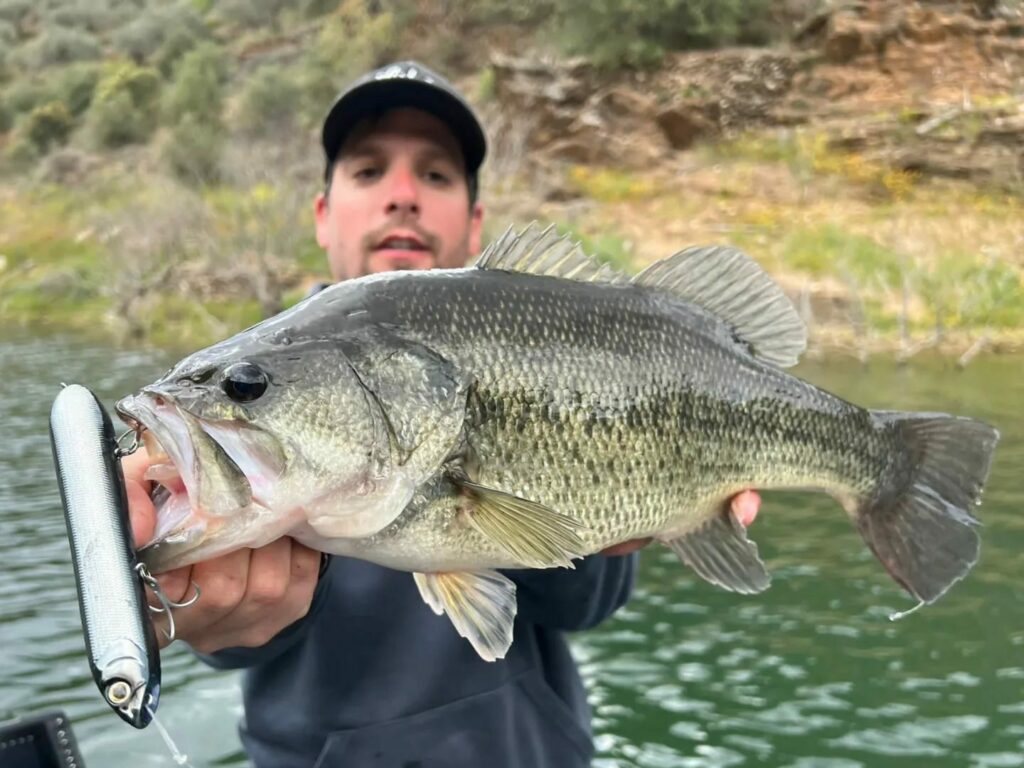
(720, 552)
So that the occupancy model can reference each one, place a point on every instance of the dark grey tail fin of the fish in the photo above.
(923, 530)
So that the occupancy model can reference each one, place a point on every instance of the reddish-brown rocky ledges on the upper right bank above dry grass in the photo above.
(928, 89)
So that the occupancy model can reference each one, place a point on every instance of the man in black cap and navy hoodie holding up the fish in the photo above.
(349, 667)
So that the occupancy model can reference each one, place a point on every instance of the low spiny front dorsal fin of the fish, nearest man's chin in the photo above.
(544, 251)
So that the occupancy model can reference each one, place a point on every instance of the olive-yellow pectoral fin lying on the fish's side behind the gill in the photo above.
(535, 535)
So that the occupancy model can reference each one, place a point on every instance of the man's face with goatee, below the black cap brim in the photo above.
(398, 200)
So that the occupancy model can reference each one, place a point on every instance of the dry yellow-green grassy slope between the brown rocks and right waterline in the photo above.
(877, 259)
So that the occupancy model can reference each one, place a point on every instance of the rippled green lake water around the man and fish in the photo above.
(812, 674)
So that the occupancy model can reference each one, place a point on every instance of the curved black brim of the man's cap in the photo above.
(376, 98)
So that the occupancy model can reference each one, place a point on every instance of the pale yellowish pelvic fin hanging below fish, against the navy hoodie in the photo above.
(480, 604)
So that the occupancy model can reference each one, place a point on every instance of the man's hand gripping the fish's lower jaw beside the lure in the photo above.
(247, 598)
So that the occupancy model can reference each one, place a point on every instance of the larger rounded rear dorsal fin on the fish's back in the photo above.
(732, 286)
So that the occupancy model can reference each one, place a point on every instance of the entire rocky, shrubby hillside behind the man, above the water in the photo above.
(872, 157)
